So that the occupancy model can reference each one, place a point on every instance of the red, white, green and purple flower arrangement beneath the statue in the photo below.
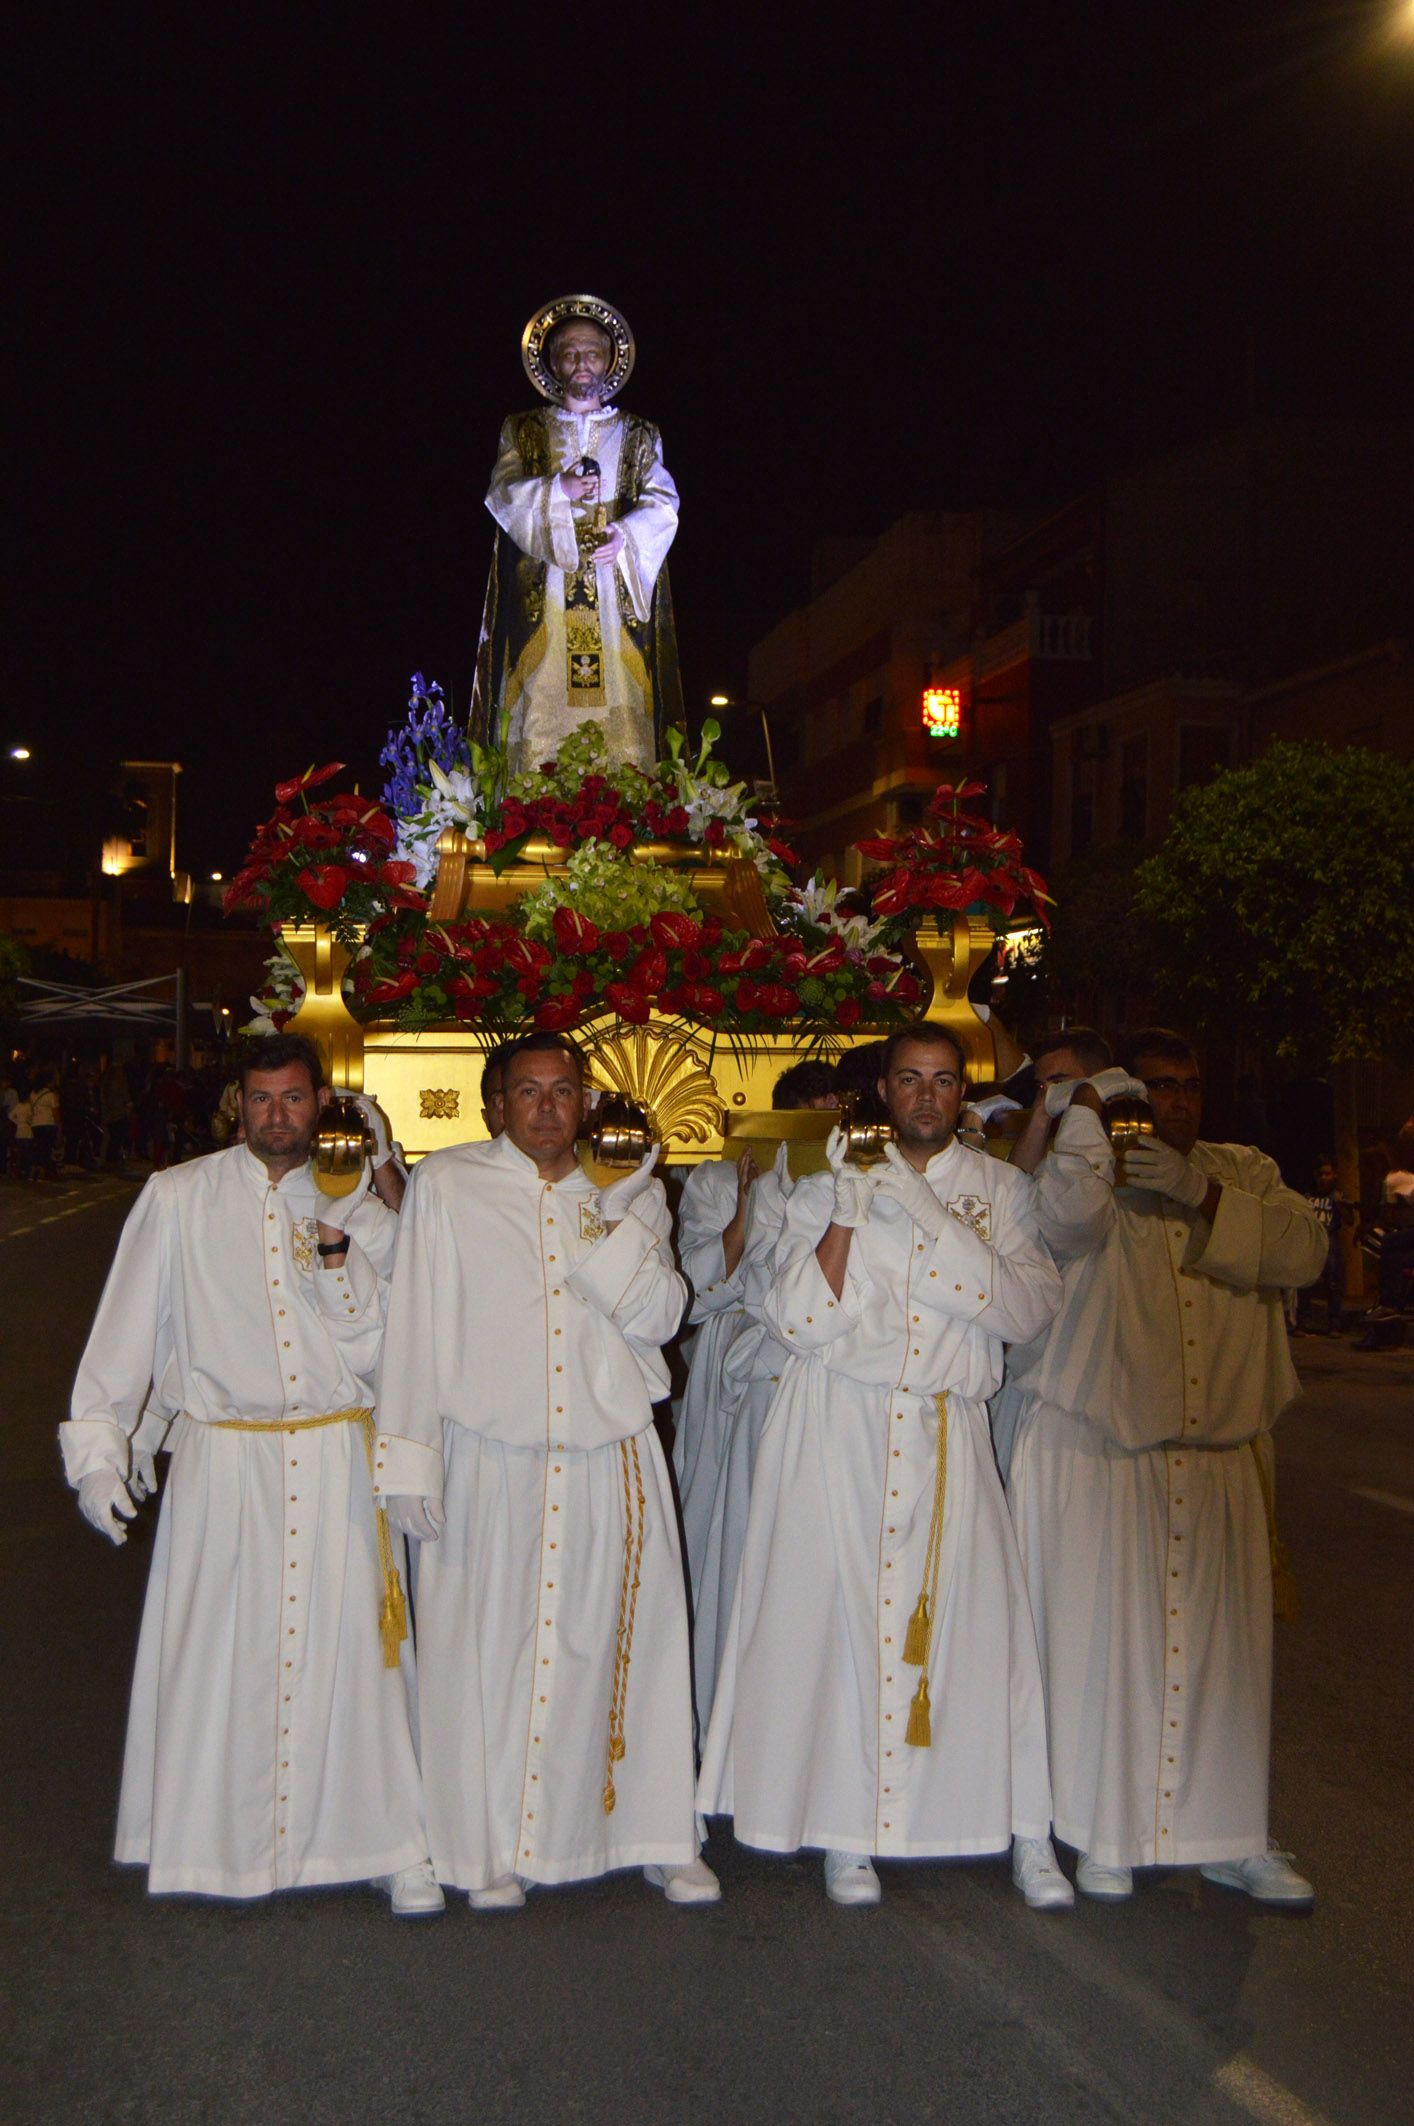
(607, 934)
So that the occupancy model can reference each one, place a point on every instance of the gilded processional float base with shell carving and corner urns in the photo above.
(701, 1094)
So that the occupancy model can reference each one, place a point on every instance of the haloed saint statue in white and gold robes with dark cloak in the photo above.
(579, 613)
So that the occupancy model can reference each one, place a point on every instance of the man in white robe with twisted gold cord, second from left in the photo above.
(522, 1364)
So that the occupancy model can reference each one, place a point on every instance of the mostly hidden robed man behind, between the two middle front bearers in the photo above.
(728, 1230)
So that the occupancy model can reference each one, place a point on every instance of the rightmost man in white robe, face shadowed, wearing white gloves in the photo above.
(1141, 1483)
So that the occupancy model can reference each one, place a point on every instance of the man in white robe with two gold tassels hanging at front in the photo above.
(881, 1689)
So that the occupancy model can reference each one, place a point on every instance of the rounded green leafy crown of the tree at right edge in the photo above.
(1281, 905)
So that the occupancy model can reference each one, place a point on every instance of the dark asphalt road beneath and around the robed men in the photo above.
(952, 2002)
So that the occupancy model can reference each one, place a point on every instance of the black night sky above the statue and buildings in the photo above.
(269, 282)
